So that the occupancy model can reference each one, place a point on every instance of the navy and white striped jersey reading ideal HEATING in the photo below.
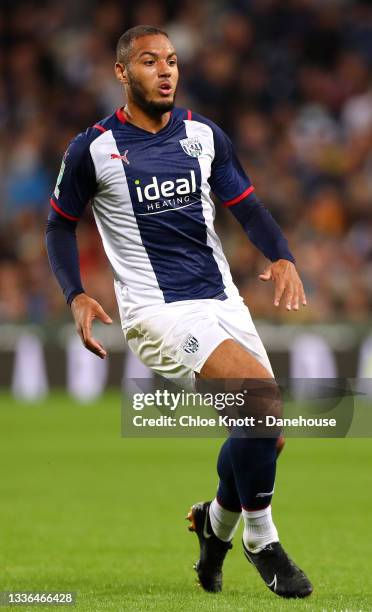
(150, 195)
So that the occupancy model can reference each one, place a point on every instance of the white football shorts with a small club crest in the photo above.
(176, 339)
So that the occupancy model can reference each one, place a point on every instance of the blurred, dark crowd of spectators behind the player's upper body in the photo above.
(290, 82)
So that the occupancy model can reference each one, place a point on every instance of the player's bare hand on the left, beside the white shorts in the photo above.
(85, 310)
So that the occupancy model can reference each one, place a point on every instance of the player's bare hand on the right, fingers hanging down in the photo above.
(287, 284)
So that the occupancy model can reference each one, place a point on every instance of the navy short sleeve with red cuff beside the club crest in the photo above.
(228, 180)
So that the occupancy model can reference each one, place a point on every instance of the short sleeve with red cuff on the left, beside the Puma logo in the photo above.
(76, 182)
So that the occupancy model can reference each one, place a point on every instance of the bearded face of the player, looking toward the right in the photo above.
(152, 74)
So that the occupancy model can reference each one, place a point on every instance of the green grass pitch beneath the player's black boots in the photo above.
(83, 509)
